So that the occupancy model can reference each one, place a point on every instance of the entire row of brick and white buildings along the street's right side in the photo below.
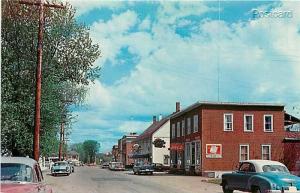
(210, 138)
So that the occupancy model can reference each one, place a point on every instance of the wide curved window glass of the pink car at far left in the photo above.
(16, 172)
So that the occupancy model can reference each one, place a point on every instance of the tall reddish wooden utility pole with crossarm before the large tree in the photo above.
(37, 120)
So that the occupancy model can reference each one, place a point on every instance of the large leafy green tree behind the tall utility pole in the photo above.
(67, 69)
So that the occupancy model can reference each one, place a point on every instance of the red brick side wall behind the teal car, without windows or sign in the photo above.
(213, 133)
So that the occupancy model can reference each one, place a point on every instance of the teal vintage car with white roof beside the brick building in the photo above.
(260, 176)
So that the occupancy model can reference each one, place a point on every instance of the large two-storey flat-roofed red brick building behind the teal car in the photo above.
(209, 138)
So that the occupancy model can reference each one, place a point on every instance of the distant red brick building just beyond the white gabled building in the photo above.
(126, 148)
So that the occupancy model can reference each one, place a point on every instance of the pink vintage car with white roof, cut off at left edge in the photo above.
(22, 175)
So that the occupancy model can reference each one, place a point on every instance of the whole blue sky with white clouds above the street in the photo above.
(157, 53)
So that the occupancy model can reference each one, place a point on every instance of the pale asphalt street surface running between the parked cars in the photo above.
(95, 180)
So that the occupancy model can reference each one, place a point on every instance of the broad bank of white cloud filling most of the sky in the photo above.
(258, 61)
